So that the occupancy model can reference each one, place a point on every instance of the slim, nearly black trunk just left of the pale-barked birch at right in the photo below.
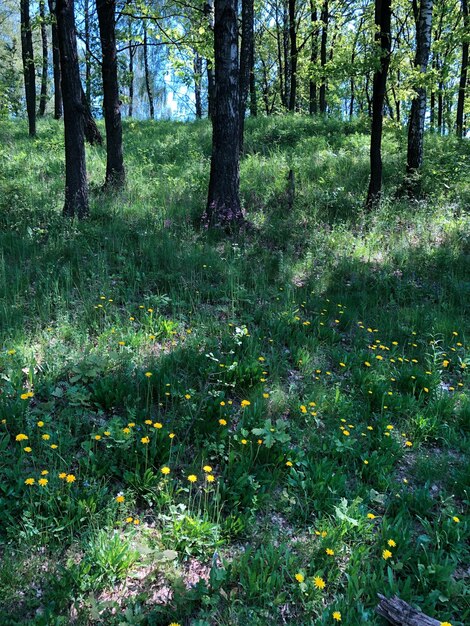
(383, 13)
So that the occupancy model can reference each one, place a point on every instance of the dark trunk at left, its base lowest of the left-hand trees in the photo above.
(76, 189)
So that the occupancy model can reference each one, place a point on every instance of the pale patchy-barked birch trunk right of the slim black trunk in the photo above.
(418, 105)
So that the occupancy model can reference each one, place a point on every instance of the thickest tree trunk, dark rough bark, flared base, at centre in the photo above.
(223, 203)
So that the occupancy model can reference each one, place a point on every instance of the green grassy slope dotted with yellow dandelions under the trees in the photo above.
(316, 364)
